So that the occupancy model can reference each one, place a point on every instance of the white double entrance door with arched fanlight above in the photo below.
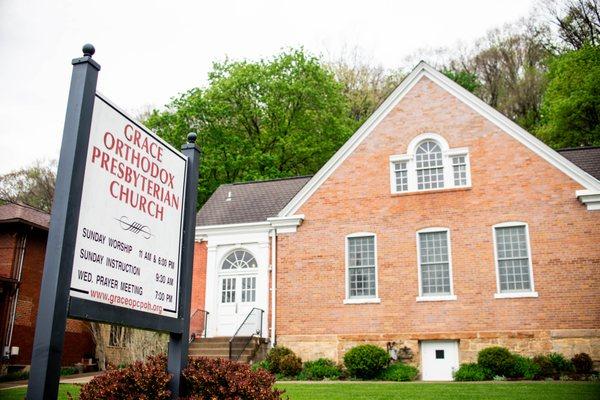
(237, 290)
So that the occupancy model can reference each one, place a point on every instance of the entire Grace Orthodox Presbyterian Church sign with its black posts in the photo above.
(120, 246)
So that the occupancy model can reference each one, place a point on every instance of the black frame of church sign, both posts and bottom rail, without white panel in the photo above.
(56, 304)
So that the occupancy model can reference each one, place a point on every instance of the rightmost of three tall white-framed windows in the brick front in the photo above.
(513, 260)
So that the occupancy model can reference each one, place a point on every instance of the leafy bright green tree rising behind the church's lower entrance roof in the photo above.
(273, 118)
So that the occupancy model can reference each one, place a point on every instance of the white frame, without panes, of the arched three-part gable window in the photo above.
(447, 154)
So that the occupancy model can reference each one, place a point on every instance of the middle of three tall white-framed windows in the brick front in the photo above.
(435, 264)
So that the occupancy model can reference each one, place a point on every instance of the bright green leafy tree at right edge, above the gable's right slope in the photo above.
(571, 103)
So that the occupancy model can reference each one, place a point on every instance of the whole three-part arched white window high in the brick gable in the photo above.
(430, 164)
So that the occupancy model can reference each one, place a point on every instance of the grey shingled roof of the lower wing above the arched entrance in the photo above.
(256, 201)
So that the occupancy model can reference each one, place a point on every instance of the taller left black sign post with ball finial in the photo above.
(54, 294)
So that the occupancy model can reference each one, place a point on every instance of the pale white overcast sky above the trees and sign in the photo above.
(150, 51)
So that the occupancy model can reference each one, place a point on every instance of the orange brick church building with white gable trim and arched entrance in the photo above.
(440, 227)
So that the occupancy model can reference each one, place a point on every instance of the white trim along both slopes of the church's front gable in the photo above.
(478, 105)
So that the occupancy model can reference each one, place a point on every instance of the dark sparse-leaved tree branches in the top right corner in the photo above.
(578, 21)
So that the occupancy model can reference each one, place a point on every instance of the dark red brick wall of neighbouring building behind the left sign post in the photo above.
(78, 340)
